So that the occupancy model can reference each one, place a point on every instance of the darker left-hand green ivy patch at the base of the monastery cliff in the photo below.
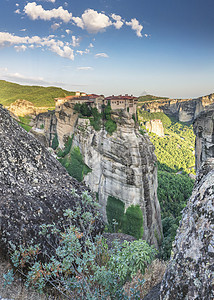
(115, 212)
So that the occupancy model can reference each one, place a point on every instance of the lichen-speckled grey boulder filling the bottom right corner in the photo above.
(190, 274)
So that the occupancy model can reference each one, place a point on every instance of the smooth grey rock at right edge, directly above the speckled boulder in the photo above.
(204, 131)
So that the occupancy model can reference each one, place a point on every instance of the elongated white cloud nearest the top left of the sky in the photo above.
(35, 12)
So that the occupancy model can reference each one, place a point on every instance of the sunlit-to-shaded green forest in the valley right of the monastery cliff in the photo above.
(175, 154)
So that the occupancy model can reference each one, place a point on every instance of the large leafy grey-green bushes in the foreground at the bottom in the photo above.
(82, 267)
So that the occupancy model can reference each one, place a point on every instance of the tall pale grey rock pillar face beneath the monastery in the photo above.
(124, 166)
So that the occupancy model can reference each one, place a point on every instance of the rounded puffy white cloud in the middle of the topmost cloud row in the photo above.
(93, 21)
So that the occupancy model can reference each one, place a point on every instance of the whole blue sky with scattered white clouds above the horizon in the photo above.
(110, 47)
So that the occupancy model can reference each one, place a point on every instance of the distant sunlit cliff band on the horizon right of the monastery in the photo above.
(184, 110)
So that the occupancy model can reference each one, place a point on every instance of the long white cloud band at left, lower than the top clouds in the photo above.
(56, 46)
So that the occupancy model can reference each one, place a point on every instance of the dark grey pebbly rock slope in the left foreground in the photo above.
(34, 188)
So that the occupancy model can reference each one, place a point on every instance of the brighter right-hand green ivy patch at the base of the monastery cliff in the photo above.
(133, 221)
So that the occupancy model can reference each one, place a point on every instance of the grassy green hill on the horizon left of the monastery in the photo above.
(40, 96)
